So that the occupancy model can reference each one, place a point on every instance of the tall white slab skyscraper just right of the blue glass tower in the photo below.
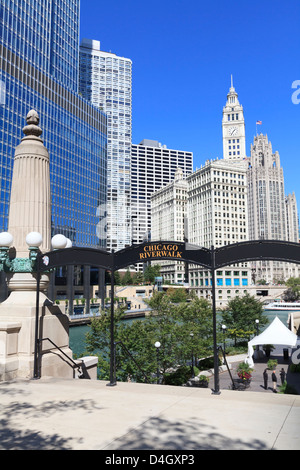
(105, 80)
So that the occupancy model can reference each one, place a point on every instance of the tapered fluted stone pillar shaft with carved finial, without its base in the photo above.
(30, 200)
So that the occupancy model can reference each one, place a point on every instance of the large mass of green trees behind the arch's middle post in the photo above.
(168, 323)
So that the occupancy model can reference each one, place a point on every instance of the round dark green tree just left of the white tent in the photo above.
(240, 315)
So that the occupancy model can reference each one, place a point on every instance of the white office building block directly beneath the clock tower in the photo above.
(217, 216)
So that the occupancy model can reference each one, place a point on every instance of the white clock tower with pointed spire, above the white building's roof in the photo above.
(233, 127)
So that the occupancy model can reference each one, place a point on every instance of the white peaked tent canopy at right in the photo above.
(276, 333)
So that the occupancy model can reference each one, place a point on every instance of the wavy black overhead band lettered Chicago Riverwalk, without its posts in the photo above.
(212, 258)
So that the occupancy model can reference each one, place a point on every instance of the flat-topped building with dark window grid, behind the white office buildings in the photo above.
(153, 166)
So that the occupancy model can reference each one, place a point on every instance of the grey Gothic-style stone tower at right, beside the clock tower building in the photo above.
(272, 215)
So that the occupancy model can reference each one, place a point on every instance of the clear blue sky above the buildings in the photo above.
(183, 54)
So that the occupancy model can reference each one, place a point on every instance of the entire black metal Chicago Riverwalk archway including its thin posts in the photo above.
(212, 259)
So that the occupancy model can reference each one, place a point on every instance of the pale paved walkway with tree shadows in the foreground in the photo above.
(60, 414)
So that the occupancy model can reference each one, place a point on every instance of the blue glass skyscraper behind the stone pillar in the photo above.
(39, 59)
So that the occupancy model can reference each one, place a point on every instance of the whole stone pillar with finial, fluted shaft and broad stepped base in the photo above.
(30, 212)
